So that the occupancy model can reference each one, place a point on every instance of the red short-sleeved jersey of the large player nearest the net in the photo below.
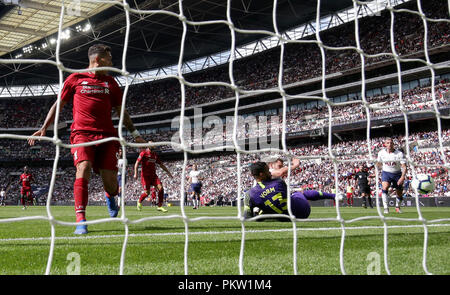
(93, 97)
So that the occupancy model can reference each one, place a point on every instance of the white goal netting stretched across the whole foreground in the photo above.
(186, 148)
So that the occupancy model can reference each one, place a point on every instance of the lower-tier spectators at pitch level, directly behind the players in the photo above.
(317, 169)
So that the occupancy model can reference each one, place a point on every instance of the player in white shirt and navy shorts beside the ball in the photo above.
(393, 173)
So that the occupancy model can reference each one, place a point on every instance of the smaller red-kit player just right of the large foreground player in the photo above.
(148, 160)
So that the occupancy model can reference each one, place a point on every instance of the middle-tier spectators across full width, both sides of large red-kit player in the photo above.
(381, 106)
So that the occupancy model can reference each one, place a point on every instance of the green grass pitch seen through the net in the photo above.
(156, 247)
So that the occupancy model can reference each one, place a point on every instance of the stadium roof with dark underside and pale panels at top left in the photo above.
(29, 31)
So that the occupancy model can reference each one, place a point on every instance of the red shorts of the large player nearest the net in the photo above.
(102, 156)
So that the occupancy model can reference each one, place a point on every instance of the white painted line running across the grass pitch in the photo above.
(214, 232)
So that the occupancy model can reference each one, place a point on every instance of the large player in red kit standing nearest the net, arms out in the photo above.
(94, 95)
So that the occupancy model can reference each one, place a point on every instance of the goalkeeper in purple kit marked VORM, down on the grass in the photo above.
(269, 195)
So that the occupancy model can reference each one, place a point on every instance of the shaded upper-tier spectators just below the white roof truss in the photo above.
(301, 61)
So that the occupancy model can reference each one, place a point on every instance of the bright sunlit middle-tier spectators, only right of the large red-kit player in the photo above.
(381, 106)
